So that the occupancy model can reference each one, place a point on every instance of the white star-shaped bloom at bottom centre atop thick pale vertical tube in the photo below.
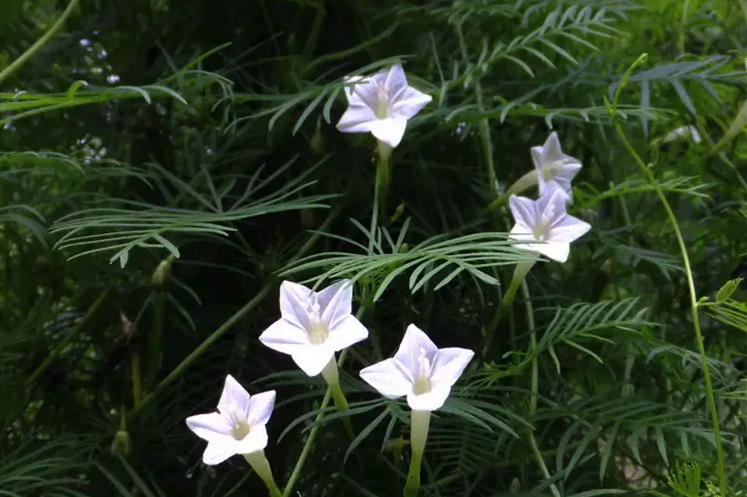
(419, 370)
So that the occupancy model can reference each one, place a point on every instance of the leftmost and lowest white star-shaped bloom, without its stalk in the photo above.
(239, 425)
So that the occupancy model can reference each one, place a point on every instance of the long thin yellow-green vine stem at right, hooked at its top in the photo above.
(710, 397)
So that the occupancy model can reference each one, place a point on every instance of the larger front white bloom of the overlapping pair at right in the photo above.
(545, 224)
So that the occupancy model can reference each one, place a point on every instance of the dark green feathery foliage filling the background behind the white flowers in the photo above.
(164, 165)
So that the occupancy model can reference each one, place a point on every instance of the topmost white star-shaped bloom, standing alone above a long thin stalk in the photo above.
(381, 104)
